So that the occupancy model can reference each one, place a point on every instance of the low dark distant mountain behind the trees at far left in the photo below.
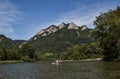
(9, 43)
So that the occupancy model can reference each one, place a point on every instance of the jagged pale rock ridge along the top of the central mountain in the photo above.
(54, 28)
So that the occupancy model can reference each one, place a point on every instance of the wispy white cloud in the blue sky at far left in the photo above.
(9, 14)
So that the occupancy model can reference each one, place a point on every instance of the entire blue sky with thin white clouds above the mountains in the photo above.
(22, 19)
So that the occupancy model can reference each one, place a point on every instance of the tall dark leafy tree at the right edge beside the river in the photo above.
(107, 31)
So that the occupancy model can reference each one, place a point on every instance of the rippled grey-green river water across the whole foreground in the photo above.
(71, 70)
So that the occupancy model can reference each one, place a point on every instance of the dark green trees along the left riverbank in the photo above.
(25, 53)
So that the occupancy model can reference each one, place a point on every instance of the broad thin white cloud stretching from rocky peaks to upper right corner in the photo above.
(85, 14)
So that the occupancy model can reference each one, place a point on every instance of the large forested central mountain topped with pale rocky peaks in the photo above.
(56, 39)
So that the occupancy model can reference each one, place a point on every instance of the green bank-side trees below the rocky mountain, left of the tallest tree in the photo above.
(77, 52)
